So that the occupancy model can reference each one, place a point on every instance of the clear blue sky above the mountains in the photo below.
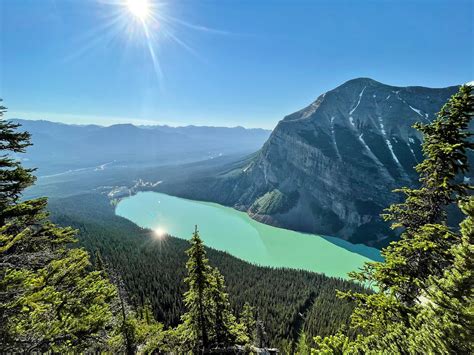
(221, 62)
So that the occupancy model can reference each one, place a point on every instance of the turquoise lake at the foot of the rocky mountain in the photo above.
(229, 230)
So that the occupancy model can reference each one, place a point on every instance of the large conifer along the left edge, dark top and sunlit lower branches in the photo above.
(49, 300)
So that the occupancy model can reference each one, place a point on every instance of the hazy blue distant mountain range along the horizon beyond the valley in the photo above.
(58, 147)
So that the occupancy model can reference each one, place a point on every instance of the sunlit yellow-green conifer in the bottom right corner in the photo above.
(447, 322)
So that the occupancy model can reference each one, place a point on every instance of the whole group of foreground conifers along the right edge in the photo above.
(425, 298)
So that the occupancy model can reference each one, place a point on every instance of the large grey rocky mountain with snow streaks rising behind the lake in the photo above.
(330, 167)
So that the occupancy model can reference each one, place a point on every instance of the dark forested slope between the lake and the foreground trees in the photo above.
(287, 301)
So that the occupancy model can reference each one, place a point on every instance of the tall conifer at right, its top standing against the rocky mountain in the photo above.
(423, 249)
